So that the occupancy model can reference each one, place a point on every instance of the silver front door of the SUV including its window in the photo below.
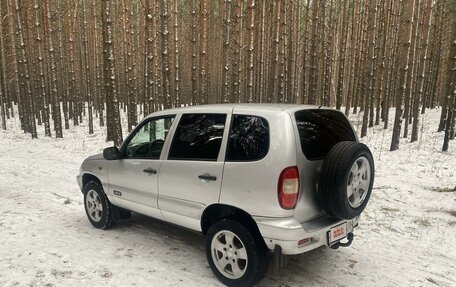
(133, 178)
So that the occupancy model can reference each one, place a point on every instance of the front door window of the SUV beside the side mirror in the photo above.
(148, 140)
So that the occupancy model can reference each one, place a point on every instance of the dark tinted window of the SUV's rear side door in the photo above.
(198, 137)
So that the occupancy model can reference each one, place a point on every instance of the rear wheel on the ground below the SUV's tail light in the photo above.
(235, 257)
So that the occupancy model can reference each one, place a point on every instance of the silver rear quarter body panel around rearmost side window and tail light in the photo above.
(252, 186)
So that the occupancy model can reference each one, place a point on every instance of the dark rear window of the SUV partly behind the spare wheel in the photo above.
(320, 130)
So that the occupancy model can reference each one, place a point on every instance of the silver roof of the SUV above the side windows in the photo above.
(227, 108)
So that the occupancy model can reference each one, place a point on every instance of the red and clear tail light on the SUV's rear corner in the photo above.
(288, 187)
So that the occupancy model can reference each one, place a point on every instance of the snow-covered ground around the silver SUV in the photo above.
(406, 237)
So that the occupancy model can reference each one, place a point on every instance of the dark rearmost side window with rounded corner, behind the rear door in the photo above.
(248, 139)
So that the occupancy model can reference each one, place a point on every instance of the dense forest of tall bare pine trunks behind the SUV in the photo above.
(66, 61)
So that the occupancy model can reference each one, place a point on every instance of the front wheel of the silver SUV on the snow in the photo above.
(97, 206)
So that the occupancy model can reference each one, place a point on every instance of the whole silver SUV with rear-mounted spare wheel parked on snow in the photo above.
(253, 178)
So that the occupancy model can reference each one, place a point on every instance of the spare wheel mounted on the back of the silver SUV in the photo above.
(346, 180)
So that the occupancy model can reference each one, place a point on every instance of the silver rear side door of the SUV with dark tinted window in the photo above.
(190, 179)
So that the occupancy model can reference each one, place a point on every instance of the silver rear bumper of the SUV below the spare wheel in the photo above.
(287, 232)
